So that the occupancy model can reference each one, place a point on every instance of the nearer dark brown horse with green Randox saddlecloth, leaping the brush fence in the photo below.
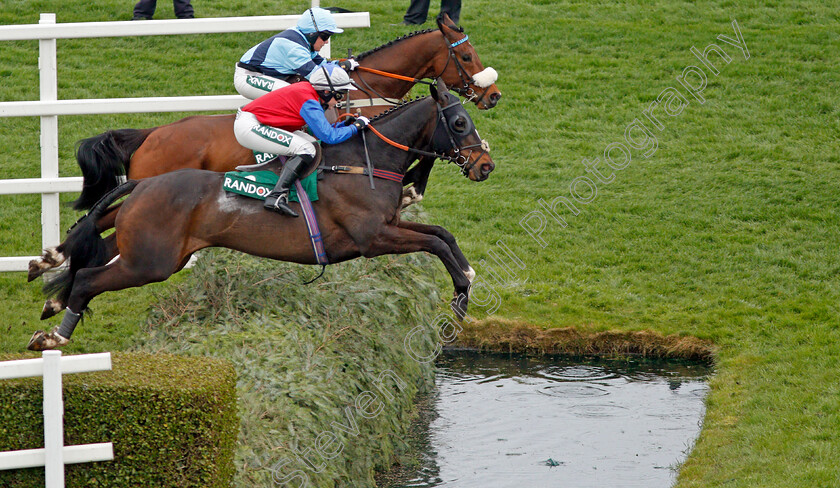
(167, 218)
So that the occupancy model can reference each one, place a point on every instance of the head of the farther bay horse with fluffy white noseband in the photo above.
(462, 69)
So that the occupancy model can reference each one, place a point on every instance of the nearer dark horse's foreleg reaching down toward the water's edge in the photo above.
(400, 240)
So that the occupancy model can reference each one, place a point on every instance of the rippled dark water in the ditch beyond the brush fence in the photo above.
(513, 421)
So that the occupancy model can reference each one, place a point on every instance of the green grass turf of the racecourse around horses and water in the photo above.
(728, 232)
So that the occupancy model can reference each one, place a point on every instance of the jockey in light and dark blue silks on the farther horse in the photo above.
(288, 56)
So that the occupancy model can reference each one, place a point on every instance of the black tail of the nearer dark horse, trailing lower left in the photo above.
(84, 246)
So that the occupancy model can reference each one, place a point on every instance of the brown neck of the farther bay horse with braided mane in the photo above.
(415, 57)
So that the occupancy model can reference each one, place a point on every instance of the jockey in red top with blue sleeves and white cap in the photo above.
(272, 123)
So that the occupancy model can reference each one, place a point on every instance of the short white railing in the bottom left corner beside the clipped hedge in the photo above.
(55, 454)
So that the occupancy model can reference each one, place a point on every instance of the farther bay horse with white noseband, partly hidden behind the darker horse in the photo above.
(207, 141)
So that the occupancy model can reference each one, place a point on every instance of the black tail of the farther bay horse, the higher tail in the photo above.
(103, 159)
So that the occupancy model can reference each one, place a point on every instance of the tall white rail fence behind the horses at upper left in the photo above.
(48, 108)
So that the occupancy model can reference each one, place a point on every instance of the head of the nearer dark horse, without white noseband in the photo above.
(456, 136)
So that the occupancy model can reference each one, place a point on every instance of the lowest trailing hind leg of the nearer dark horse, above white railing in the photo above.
(89, 283)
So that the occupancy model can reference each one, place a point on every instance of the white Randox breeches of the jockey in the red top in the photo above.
(264, 138)
